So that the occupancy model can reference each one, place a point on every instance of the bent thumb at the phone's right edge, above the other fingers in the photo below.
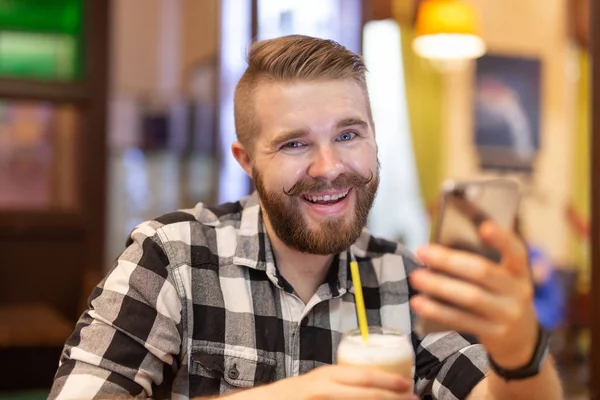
(512, 248)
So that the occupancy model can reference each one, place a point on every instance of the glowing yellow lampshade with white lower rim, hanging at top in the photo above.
(447, 30)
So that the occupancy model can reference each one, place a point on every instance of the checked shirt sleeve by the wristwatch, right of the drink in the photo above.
(448, 366)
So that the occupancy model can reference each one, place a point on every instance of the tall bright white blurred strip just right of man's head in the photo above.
(398, 212)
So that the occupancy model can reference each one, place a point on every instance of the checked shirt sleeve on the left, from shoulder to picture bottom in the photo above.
(126, 342)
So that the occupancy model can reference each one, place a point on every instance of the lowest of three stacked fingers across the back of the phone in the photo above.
(456, 319)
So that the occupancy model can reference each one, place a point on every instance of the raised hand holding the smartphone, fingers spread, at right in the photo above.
(495, 302)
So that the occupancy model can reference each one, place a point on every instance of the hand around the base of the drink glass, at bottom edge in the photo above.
(335, 382)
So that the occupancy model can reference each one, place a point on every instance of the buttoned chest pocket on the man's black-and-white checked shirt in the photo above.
(233, 369)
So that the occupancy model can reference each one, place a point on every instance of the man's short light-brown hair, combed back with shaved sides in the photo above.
(289, 59)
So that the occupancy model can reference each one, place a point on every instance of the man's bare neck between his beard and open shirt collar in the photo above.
(304, 271)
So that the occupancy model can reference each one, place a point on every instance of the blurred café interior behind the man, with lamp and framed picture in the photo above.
(116, 111)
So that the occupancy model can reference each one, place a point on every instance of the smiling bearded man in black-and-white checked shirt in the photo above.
(255, 295)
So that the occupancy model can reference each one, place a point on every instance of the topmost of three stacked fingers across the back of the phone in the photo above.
(467, 266)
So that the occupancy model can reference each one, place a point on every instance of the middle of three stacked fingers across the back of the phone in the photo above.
(460, 293)
